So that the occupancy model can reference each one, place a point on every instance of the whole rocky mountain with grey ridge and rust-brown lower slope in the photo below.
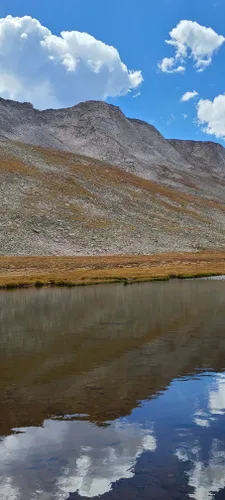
(89, 180)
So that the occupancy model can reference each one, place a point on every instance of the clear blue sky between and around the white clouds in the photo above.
(138, 30)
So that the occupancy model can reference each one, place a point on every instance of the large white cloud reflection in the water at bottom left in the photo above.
(70, 457)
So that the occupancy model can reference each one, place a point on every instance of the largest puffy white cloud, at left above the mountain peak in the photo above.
(55, 71)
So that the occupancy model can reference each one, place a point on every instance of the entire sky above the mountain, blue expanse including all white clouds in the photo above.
(161, 61)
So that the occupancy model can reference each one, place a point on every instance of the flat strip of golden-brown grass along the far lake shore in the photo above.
(27, 272)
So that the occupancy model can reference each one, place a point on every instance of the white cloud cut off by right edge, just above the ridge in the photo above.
(211, 114)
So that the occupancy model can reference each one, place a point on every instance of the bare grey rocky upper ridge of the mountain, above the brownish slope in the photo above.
(102, 131)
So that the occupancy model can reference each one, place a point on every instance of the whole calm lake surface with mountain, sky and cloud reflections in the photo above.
(113, 391)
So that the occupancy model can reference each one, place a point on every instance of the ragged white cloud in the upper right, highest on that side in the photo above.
(190, 39)
